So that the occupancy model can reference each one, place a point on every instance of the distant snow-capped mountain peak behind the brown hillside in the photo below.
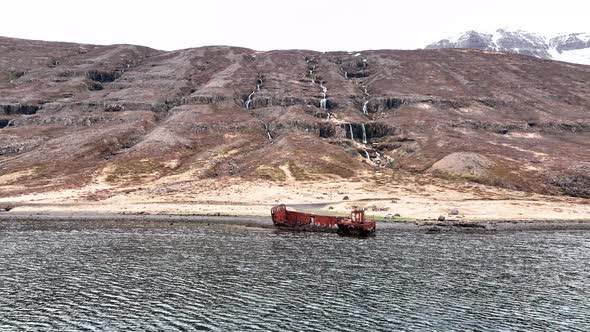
(573, 47)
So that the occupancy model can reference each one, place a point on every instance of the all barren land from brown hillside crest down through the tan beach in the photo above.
(128, 129)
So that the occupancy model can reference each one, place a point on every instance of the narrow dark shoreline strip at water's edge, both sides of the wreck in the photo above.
(428, 226)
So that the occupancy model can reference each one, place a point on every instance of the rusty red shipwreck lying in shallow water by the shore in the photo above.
(354, 225)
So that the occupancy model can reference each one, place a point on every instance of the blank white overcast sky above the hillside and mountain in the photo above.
(280, 24)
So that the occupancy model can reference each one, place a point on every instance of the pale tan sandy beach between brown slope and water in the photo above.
(414, 200)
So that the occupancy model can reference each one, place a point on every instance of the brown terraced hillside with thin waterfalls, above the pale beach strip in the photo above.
(69, 112)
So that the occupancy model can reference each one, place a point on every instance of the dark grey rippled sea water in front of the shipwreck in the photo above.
(158, 276)
